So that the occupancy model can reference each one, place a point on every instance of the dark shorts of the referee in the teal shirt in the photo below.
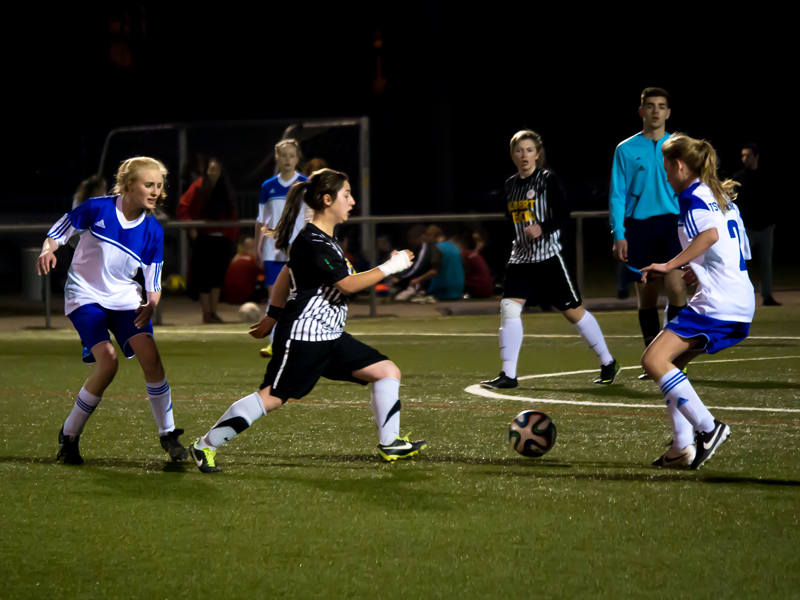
(653, 240)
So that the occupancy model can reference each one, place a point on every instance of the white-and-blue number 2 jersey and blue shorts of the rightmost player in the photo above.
(723, 306)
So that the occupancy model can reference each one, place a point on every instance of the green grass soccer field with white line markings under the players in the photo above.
(305, 509)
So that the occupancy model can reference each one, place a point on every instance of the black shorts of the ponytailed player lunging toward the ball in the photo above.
(296, 366)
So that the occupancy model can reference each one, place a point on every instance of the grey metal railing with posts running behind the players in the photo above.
(368, 224)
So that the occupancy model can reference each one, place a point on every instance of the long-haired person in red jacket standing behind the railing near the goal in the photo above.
(210, 198)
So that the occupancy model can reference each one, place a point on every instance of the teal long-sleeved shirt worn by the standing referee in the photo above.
(639, 187)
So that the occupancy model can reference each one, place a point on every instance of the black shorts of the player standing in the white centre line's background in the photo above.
(547, 280)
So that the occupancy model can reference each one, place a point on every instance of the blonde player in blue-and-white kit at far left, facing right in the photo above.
(101, 296)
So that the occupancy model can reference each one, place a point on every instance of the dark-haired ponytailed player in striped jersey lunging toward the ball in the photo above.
(309, 305)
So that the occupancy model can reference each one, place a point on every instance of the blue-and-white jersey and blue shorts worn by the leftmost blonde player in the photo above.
(100, 279)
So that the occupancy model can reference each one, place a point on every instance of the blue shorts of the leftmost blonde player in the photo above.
(93, 322)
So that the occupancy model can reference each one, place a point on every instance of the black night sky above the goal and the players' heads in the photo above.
(459, 84)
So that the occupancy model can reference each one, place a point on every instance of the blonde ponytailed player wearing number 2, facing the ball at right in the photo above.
(718, 316)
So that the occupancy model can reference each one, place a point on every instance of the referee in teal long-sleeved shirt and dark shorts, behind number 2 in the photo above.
(644, 212)
